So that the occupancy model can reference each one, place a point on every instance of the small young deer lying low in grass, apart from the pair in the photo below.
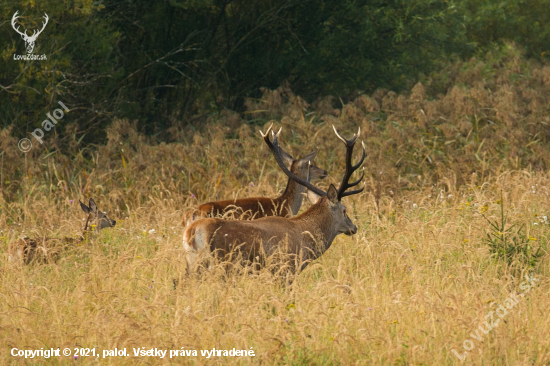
(29, 250)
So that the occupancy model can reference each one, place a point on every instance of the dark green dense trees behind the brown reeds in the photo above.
(168, 62)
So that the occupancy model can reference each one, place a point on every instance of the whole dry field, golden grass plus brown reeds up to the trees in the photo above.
(413, 284)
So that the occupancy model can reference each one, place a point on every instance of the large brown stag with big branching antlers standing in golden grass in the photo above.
(304, 237)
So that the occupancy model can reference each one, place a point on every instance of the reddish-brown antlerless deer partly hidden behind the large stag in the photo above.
(287, 204)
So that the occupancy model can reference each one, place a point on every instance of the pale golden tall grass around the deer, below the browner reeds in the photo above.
(413, 284)
